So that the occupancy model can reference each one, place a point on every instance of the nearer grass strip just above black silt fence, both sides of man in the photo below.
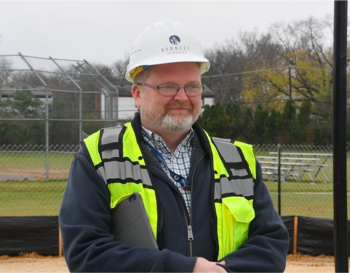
(26, 198)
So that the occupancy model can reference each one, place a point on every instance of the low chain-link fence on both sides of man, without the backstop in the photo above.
(32, 182)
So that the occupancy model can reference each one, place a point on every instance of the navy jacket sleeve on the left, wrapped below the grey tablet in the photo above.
(85, 223)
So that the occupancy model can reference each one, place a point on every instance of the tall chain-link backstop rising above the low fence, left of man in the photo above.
(53, 101)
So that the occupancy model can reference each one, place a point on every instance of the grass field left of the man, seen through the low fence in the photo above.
(33, 198)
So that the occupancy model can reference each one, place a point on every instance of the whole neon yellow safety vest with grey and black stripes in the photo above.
(118, 159)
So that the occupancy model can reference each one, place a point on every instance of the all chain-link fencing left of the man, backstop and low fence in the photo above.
(53, 102)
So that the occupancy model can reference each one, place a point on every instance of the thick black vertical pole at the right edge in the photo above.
(339, 136)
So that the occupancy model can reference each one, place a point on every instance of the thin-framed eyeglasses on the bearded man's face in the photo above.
(170, 90)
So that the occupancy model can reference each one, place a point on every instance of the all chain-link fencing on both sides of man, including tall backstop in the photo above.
(76, 98)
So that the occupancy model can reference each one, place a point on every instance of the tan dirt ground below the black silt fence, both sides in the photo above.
(36, 263)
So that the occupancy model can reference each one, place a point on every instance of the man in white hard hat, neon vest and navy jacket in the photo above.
(207, 204)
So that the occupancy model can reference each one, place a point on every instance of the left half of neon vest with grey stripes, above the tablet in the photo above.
(126, 175)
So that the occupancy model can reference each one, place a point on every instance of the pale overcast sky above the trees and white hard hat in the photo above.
(103, 31)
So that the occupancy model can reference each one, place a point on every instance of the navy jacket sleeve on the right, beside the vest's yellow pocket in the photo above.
(266, 248)
